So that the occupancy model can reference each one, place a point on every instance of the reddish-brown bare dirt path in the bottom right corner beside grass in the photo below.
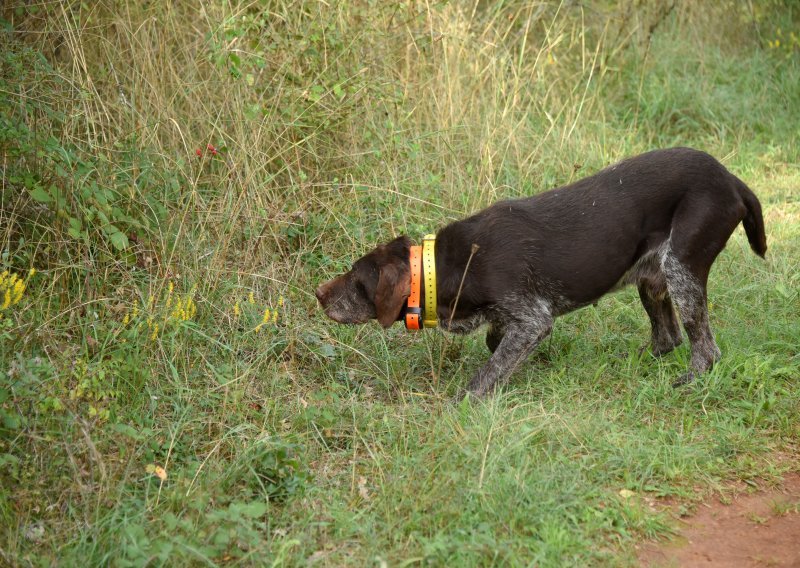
(754, 530)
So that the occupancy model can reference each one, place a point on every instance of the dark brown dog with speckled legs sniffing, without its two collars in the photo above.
(657, 220)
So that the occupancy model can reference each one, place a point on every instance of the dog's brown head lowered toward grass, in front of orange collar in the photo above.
(376, 286)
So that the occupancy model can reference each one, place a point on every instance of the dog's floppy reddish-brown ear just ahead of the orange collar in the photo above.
(394, 282)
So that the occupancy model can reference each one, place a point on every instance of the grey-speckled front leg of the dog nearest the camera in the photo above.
(520, 339)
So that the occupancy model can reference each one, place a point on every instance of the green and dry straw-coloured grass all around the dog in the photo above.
(171, 328)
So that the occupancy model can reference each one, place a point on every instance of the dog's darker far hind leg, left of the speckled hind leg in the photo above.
(666, 331)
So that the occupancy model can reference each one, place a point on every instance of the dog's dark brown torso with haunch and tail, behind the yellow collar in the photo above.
(582, 238)
